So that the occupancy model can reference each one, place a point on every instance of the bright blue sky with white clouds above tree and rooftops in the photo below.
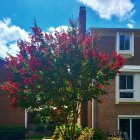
(17, 16)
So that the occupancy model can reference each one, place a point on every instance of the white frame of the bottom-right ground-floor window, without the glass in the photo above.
(127, 117)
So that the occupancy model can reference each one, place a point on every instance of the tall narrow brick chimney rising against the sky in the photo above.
(82, 19)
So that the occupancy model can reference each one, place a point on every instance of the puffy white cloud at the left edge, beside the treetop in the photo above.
(9, 34)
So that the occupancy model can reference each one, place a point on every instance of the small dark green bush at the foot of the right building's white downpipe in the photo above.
(99, 135)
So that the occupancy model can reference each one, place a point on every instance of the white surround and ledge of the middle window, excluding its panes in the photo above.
(130, 70)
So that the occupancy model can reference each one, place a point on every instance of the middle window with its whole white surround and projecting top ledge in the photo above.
(127, 88)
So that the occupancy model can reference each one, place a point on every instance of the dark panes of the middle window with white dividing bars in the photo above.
(126, 86)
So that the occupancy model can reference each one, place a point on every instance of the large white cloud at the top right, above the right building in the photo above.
(123, 9)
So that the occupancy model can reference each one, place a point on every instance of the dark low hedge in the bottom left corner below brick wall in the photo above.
(12, 132)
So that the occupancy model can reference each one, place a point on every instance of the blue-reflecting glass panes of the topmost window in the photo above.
(125, 42)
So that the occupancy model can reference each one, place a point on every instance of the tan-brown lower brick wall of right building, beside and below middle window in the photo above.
(108, 111)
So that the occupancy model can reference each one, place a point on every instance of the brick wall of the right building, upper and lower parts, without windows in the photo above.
(106, 113)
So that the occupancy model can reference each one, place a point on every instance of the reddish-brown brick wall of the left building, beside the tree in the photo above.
(8, 115)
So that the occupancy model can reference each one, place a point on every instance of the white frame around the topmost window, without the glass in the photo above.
(125, 53)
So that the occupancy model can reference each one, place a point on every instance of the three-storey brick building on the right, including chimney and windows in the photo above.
(120, 110)
